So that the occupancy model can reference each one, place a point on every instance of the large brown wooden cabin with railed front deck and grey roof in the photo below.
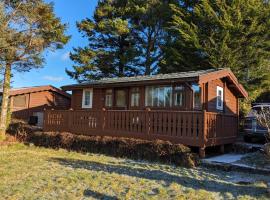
(196, 108)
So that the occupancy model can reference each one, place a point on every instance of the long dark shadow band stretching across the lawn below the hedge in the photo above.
(186, 179)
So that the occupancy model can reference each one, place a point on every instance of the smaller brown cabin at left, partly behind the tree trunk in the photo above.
(31, 101)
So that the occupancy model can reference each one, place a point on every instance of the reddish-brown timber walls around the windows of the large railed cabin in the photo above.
(208, 95)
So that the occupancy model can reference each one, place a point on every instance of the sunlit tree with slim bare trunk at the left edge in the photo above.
(28, 28)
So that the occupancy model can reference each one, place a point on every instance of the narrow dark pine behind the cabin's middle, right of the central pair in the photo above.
(148, 21)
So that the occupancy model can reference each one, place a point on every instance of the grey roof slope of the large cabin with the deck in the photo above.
(178, 75)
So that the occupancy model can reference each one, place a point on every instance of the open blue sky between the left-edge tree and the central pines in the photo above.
(53, 71)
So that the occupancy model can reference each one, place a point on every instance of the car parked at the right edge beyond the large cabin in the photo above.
(252, 128)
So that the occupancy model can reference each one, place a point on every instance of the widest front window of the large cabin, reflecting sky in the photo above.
(158, 96)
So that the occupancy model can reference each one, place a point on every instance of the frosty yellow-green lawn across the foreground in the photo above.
(39, 173)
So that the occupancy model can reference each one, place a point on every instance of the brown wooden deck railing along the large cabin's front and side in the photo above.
(194, 128)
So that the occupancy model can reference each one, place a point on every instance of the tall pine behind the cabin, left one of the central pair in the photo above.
(110, 51)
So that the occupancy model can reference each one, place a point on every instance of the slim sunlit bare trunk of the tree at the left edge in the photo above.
(5, 101)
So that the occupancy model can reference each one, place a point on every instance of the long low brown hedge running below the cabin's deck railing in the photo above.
(158, 150)
